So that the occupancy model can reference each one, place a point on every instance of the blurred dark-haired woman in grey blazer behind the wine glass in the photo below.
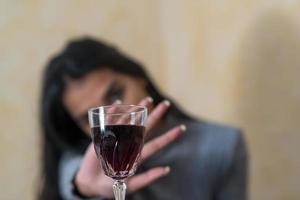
(208, 161)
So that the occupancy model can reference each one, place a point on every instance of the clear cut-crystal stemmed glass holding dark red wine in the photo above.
(118, 137)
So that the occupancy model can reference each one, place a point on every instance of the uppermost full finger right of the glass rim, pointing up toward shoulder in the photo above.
(156, 114)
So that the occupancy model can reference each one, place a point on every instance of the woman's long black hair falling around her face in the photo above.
(60, 132)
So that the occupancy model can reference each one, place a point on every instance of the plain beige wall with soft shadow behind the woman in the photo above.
(231, 61)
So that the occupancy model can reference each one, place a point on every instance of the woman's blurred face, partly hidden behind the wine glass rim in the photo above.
(97, 88)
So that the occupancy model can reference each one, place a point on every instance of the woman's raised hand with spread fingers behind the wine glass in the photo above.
(91, 180)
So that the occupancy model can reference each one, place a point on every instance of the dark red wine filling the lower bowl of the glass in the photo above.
(118, 147)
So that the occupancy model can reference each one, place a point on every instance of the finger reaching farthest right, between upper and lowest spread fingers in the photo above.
(158, 143)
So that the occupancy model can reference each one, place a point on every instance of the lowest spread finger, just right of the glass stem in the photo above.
(139, 181)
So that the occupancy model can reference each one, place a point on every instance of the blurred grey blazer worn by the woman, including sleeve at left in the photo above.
(209, 162)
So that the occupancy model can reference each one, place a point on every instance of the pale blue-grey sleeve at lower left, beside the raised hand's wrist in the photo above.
(68, 166)
